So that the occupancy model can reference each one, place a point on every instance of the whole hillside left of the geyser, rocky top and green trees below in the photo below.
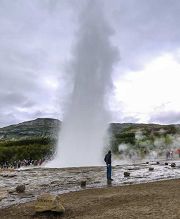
(32, 140)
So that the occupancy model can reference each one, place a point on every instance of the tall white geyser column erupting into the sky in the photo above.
(82, 135)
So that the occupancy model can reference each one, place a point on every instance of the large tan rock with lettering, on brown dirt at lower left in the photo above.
(48, 202)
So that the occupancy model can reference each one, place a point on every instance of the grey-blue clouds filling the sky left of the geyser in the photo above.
(34, 42)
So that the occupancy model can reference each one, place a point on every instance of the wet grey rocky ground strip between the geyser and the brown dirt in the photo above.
(57, 181)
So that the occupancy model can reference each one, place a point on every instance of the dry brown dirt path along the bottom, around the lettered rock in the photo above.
(150, 200)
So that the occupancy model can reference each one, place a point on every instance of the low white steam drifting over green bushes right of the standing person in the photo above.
(144, 148)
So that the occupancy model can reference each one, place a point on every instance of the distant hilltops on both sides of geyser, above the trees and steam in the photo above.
(49, 128)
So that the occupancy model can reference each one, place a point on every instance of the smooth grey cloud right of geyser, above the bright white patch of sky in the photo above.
(145, 29)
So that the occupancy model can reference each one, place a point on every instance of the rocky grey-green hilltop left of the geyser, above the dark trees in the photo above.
(40, 127)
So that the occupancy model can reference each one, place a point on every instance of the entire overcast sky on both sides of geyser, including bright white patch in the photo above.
(36, 40)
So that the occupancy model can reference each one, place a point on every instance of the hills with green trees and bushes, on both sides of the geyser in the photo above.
(37, 139)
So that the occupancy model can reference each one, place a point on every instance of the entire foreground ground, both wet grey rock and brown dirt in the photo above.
(140, 198)
